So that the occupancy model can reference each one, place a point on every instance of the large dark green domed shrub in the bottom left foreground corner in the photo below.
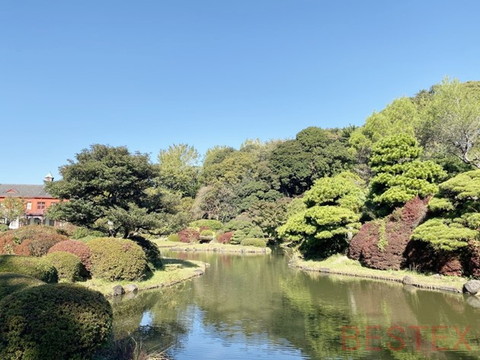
(52, 322)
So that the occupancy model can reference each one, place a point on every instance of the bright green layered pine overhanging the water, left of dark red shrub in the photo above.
(331, 217)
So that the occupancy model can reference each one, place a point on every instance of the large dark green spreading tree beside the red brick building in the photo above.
(102, 181)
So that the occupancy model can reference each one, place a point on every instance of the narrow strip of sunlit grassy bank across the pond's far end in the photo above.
(211, 247)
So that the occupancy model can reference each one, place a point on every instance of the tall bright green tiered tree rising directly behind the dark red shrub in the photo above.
(399, 174)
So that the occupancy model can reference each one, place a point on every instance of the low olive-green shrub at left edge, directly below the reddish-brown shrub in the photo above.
(30, 266)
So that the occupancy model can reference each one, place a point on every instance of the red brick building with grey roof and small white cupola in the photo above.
(36, 201)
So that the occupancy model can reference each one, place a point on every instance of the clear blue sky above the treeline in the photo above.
(151, 73)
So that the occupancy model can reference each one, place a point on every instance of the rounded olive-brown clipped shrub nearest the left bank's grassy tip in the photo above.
(117, 259)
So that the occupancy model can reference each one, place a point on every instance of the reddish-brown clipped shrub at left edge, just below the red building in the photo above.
(33, 240)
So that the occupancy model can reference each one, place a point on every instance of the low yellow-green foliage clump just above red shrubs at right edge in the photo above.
(443, 235)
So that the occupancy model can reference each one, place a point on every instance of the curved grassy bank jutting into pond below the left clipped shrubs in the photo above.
(176, 271)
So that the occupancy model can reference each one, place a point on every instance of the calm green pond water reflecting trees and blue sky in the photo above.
(255, 307)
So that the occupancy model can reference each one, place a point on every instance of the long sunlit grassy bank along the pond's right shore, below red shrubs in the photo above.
(341, 265)
